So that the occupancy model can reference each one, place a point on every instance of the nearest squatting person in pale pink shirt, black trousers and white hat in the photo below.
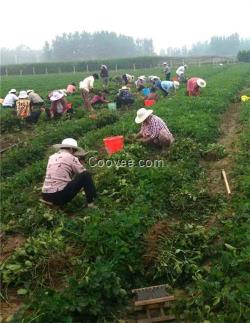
(66, 176)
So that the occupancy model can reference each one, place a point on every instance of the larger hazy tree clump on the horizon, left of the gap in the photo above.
(81, 46)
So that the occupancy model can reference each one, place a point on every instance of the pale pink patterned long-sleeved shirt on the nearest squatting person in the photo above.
(62, 167)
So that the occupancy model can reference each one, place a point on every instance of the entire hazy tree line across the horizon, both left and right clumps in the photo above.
(107, 45)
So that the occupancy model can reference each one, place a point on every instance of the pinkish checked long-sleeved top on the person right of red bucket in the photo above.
(153, 126)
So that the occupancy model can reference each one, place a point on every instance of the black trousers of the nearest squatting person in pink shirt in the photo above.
(83, 180)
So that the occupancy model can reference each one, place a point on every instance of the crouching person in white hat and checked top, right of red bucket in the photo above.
(153, 129)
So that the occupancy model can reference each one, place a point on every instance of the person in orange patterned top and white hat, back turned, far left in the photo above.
(25, 109)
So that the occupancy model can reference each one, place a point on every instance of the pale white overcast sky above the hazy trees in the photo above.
(168, 22)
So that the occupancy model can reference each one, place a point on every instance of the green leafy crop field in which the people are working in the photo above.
(153, 225)
